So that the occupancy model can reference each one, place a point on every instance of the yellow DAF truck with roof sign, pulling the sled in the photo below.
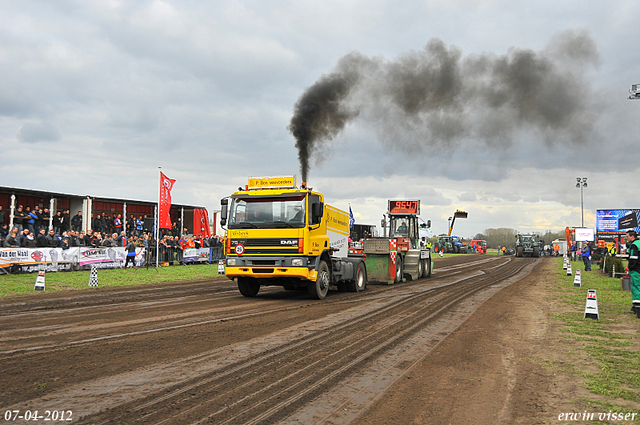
(279, 234)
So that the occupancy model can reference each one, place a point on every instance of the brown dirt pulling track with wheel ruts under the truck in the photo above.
(202, 353)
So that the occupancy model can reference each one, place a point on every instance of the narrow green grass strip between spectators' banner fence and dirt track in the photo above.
(24, 283)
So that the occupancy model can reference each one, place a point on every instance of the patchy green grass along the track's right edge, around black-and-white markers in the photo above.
(605, 353)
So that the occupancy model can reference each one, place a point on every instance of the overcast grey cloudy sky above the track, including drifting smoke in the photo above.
(493, 107)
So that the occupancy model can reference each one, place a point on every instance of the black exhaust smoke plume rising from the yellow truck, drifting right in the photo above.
(437, 97)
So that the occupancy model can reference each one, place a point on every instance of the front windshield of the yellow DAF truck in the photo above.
(253, 212)
